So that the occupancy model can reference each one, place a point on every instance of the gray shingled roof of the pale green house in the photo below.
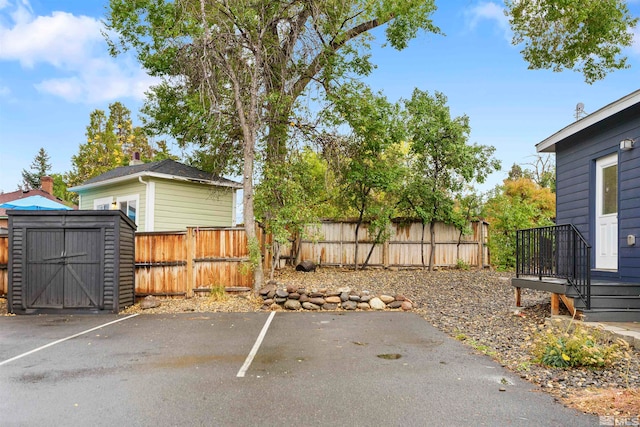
(167, 169)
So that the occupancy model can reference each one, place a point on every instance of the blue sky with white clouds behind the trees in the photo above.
(55, 70)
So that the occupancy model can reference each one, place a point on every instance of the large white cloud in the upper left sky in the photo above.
(75, 49)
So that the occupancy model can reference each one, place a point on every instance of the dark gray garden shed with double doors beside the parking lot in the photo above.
(60, 261)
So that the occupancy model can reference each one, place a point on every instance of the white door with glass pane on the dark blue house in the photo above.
(606, 246)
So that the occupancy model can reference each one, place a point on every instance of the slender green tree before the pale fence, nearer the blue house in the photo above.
(443, 162)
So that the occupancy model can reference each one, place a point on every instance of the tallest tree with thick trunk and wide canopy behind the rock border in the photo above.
(240, 66)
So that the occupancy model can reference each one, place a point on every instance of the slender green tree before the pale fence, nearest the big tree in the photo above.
(372, 168)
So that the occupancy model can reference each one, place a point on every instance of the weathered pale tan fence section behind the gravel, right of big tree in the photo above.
(333, 243)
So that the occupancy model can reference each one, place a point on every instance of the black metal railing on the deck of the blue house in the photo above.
(557, 251)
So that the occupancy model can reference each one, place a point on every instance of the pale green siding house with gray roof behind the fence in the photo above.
(162, 196)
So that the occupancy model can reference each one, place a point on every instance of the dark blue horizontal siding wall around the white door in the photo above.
(575, 183)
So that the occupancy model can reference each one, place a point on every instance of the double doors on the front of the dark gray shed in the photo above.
(64, 268)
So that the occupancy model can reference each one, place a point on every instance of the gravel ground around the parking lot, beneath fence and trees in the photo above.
(475, 307)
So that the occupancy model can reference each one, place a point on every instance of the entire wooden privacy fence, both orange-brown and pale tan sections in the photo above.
(185, 262)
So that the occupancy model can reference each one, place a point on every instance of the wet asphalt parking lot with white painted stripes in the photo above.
(260, 369)
